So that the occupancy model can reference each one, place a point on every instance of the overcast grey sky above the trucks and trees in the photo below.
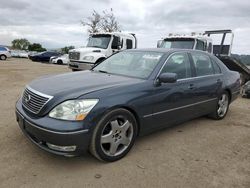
(56, 24)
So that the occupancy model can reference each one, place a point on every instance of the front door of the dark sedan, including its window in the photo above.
(173, 101)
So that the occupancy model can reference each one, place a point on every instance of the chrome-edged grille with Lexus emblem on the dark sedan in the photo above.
(33, 100)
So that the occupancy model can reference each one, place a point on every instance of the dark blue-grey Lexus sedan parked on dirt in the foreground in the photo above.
(131, 93)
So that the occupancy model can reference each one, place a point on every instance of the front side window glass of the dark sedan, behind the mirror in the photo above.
(179, 64)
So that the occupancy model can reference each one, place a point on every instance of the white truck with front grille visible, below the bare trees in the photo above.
(99, 47)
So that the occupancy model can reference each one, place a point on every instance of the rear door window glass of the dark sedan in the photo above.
(203, 64)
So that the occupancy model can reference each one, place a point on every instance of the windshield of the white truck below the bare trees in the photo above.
(99, 41)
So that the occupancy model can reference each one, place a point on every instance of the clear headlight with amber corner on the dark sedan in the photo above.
(73, 110)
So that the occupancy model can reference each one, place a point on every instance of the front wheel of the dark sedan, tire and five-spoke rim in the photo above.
(114, 135)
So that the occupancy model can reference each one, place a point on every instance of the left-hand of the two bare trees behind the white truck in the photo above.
(93, 22)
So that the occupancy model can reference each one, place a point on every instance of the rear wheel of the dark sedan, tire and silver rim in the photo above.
(222, 107)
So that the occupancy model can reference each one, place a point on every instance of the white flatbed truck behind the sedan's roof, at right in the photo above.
(204, 41)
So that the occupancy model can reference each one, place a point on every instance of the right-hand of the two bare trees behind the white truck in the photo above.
(109, 22)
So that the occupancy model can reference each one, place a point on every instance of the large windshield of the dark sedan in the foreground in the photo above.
(139, 64)
